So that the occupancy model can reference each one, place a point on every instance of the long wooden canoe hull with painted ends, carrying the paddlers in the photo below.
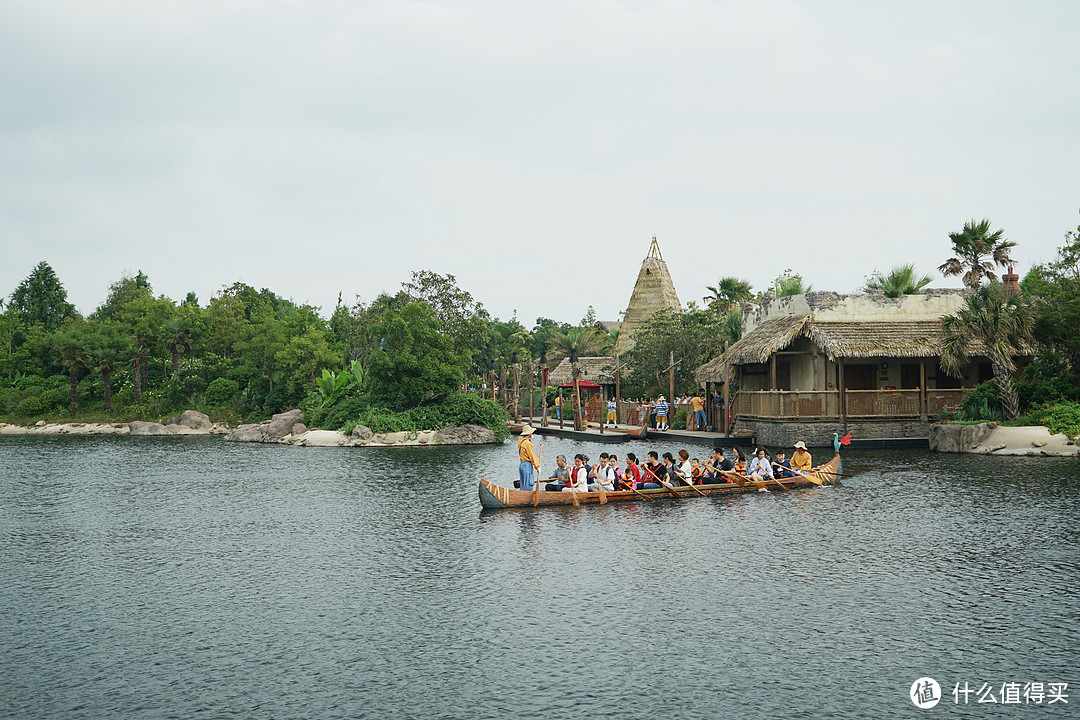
(495, 496)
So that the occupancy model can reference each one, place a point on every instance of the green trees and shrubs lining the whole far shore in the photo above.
(430, 357)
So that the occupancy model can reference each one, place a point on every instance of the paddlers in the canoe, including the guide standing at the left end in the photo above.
(657, 471)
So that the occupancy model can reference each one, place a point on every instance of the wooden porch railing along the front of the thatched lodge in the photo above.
(858, 403)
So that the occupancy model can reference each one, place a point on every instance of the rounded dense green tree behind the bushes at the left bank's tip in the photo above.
(415, 362)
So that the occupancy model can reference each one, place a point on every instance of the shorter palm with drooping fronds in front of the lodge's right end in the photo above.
(993, 323)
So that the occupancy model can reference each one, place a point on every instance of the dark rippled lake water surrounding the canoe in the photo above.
(190, 578)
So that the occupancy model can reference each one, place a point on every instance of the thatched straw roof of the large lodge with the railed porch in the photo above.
(848, 341)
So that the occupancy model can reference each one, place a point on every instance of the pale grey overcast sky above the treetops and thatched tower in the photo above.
(530, 148)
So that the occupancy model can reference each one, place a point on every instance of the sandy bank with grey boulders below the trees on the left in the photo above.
(283, 429)
